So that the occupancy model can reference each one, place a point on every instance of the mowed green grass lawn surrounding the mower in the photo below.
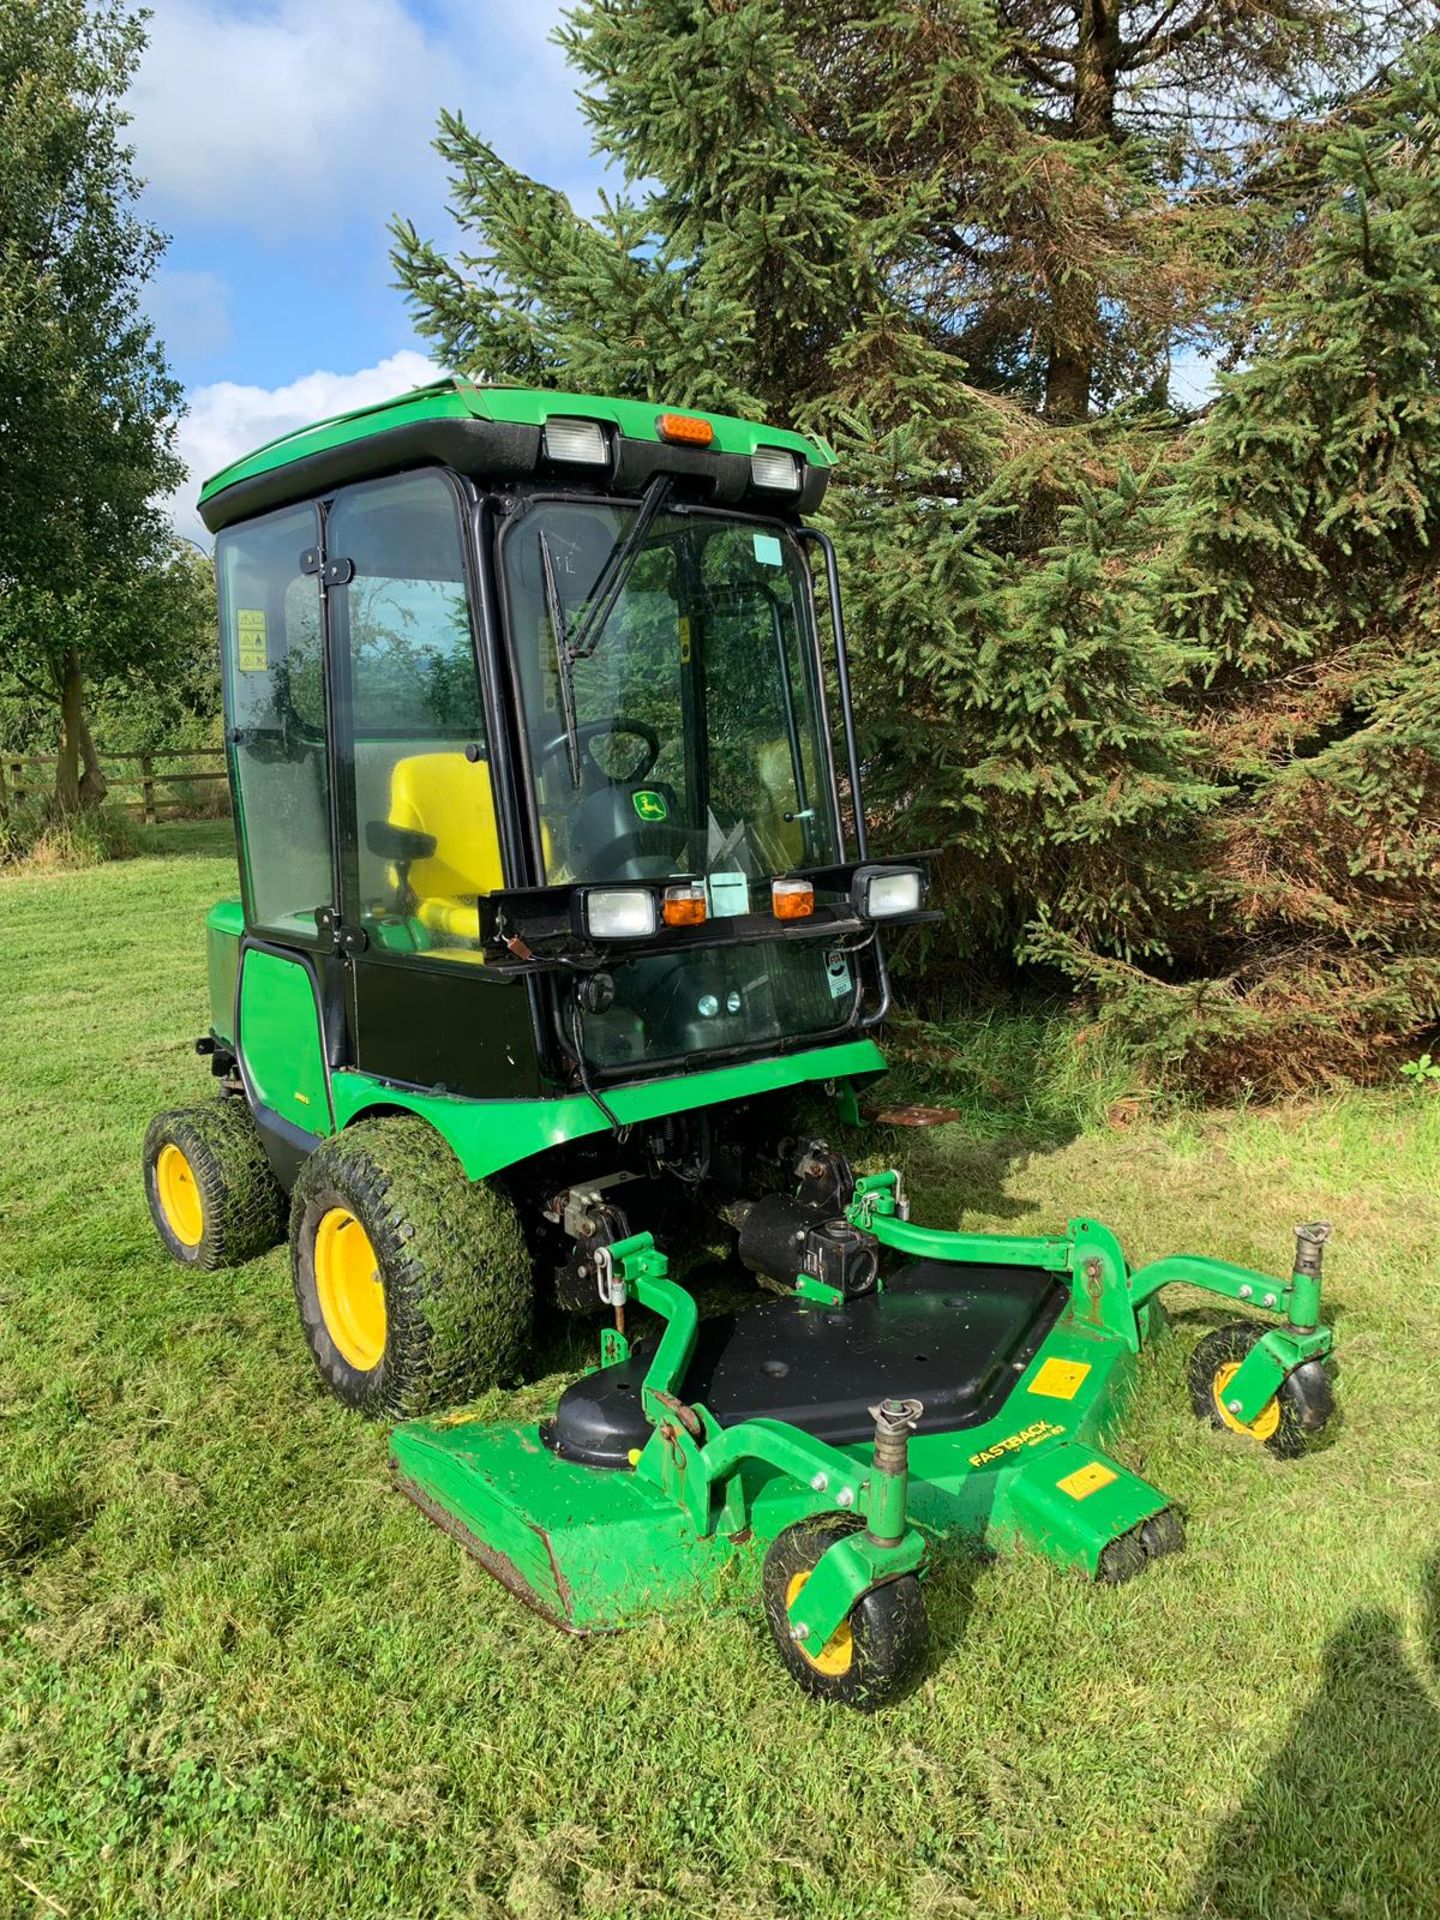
(241, 1677)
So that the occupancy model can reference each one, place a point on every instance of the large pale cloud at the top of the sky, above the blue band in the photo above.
(302, 114)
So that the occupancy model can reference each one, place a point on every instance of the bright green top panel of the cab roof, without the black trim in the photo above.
(462, 400)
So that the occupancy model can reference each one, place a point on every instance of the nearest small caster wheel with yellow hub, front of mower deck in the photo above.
(880, 1646)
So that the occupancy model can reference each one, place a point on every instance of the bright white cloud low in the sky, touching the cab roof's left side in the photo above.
(228, 420)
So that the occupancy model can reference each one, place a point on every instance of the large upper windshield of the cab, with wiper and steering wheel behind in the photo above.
(683, 731)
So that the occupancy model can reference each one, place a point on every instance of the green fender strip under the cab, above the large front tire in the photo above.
(489, 1136)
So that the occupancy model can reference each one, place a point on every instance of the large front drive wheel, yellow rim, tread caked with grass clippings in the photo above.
(414, 1284)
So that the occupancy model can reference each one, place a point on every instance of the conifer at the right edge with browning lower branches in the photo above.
(1307, 575)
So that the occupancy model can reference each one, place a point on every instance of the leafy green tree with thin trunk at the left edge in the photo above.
(91, 588)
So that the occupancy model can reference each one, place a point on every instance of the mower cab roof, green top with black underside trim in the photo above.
(496, 433)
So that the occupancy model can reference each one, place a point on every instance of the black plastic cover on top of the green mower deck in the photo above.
(951, 1337)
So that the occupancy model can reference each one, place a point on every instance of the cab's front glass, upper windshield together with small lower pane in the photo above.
(681, 732)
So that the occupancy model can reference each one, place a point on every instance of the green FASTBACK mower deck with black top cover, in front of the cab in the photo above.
(1005, 1456)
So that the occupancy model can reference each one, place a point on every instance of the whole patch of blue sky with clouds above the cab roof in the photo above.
(277, 137)
